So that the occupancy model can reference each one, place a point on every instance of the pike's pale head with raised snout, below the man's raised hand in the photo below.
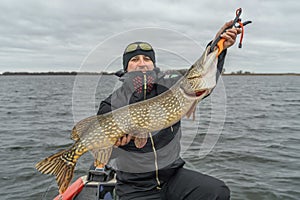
(200, 79)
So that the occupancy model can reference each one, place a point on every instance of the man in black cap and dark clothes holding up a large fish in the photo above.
(151, 168)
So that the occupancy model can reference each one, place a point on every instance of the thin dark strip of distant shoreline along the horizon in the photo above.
(112, 73)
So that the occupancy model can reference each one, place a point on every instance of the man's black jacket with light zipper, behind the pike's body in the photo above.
(136, 170)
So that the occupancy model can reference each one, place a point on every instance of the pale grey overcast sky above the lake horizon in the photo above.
(61, 35)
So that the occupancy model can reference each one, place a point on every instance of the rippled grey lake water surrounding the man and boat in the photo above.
(257, 153)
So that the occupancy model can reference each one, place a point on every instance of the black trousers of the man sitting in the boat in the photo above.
(186, 185)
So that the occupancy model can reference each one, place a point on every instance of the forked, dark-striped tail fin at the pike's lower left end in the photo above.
(60, 167)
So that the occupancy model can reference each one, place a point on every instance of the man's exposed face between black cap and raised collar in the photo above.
(140, 63)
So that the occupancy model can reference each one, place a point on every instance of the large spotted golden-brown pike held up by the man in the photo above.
(99, 133)
